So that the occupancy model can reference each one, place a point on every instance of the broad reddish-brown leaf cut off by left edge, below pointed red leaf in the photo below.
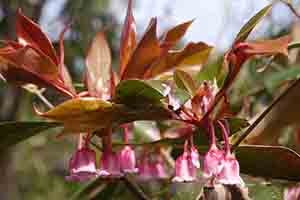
(24, 65)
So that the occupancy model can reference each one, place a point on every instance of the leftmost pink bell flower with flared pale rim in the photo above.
(82, 165)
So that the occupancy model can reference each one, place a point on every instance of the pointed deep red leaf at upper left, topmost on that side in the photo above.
(28, 32)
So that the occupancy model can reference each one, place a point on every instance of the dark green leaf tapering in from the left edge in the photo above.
(15, 132)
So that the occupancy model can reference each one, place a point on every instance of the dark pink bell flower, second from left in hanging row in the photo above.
(110, 164)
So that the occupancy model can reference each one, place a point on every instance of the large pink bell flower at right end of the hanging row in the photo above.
(230, 172)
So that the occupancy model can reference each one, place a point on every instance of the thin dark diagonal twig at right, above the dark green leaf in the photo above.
(262, 116)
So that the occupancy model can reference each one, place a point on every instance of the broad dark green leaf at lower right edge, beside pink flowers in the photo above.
(274, 162)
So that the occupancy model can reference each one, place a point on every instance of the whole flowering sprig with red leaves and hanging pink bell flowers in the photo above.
(115, 100)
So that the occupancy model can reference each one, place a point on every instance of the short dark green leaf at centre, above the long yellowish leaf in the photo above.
(131, 92)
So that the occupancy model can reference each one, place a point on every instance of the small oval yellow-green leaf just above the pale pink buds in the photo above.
(184, 81)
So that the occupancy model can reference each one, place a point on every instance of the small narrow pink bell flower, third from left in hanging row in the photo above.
(127, 160)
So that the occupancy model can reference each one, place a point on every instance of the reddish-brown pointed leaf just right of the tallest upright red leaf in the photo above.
(148, 49)
